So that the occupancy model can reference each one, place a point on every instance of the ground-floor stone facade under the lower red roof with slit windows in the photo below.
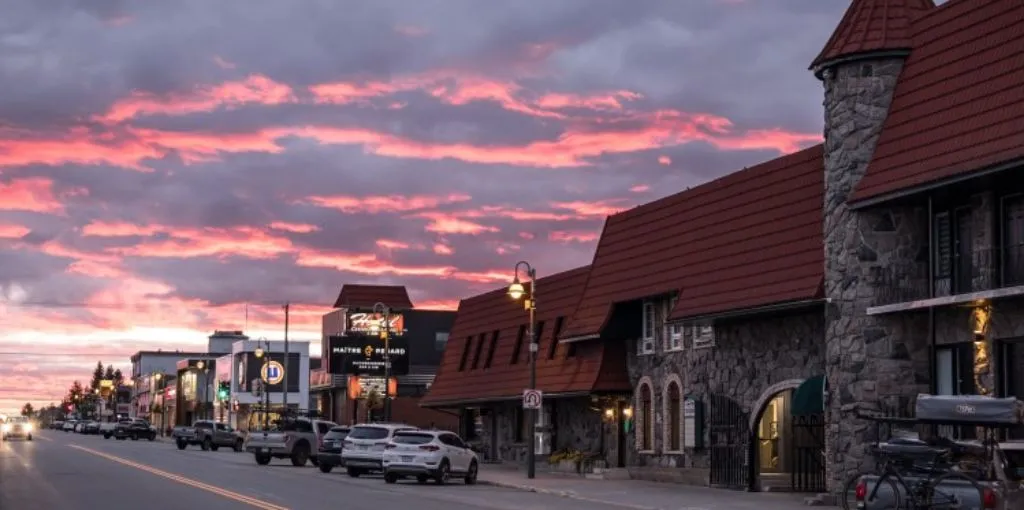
(575, 426)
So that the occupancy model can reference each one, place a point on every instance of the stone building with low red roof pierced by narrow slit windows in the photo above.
(487, 368)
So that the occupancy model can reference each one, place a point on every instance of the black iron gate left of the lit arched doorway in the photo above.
(730, 437)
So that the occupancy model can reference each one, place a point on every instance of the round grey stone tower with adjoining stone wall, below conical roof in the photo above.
(870, 359)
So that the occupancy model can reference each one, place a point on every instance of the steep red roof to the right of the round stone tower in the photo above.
(959, 105)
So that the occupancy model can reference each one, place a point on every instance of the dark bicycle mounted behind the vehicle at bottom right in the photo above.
(929, 487)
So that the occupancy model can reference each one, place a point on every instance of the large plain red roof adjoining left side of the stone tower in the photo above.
(750, 239)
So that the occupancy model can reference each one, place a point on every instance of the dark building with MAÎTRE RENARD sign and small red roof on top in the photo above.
(350, 391)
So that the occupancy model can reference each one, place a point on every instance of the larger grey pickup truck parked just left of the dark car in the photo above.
(295, 439)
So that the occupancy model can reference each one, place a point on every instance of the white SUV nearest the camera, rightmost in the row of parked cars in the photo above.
(430, 454)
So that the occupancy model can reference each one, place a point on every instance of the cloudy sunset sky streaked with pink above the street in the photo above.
(166, 166)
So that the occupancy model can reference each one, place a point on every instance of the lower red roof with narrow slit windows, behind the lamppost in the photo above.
(593, 367)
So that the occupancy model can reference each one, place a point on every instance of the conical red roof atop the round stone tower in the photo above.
(871, 26)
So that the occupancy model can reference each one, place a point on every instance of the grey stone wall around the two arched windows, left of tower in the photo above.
(748, 359)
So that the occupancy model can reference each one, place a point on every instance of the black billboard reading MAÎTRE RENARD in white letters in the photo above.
(364, 356)
